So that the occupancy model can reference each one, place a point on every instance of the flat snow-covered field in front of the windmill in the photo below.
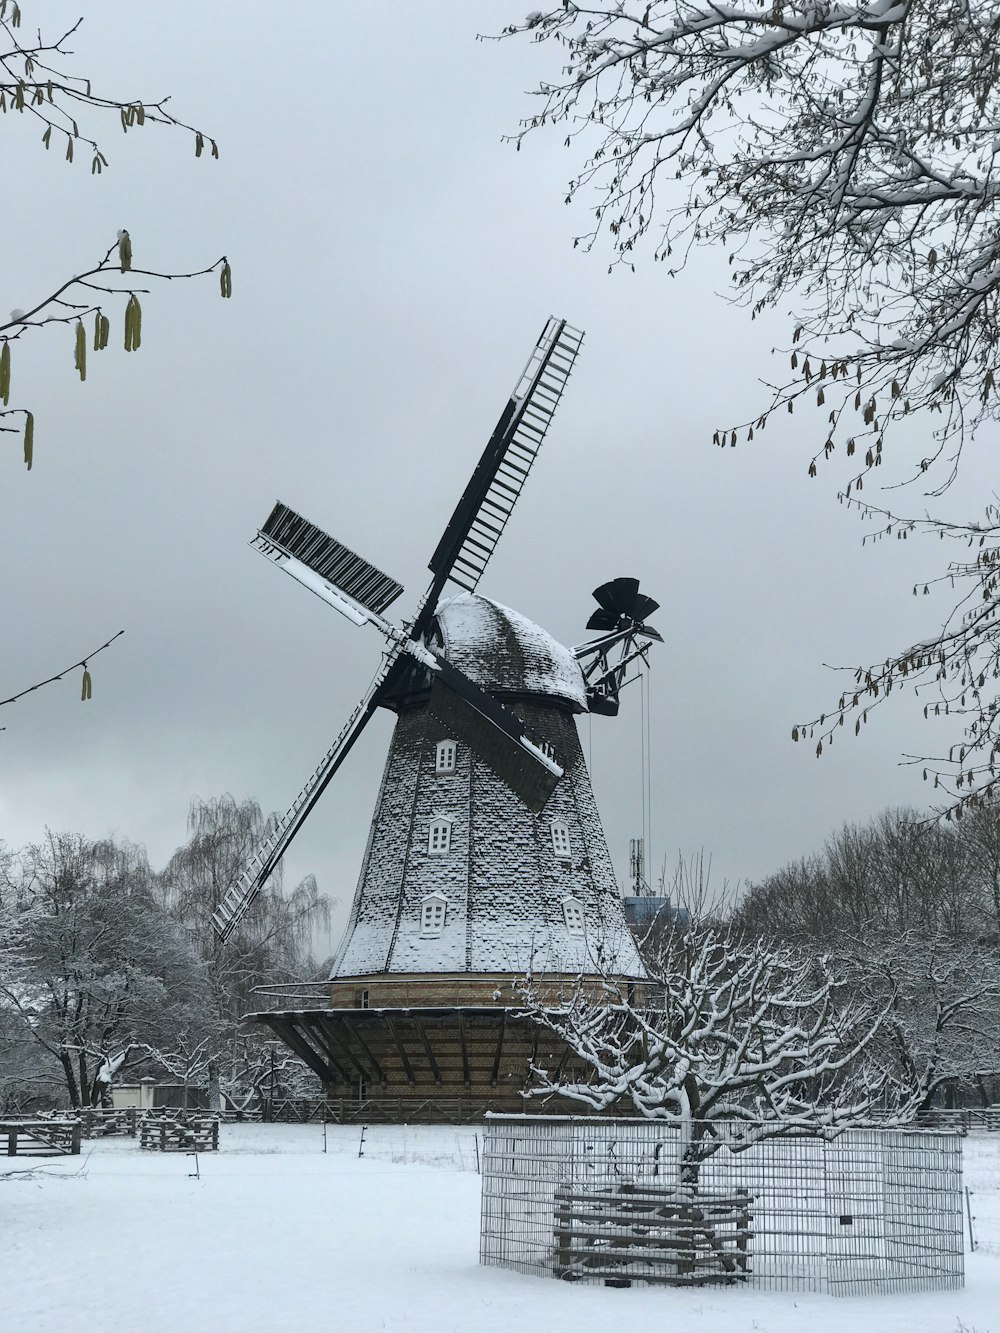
(281, 1236)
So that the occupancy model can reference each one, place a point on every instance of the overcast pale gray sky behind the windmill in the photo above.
(394, 262)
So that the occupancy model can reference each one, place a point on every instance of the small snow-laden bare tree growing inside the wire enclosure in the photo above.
(729, 1032)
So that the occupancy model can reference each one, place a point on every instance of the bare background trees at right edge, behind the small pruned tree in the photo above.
(907, 912)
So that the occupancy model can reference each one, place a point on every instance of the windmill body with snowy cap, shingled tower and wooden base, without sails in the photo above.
(465, 891)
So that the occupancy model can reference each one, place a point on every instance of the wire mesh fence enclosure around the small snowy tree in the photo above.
(617, 1202)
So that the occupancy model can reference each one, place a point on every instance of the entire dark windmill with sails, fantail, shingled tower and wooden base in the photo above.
(486, 860)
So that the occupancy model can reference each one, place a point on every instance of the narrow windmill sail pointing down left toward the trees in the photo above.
(273, 848)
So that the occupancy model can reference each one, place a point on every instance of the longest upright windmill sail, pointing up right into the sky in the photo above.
(481, 517)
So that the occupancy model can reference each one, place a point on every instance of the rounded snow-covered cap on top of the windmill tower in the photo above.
(507, 654)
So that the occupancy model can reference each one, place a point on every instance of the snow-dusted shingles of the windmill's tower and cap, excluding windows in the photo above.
(506, 876)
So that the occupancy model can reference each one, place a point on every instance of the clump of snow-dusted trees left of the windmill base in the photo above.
(109, 968)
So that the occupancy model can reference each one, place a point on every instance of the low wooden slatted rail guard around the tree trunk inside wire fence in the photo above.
(677, 1236)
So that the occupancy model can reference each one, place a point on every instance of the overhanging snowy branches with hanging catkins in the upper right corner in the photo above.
(847, 159)
